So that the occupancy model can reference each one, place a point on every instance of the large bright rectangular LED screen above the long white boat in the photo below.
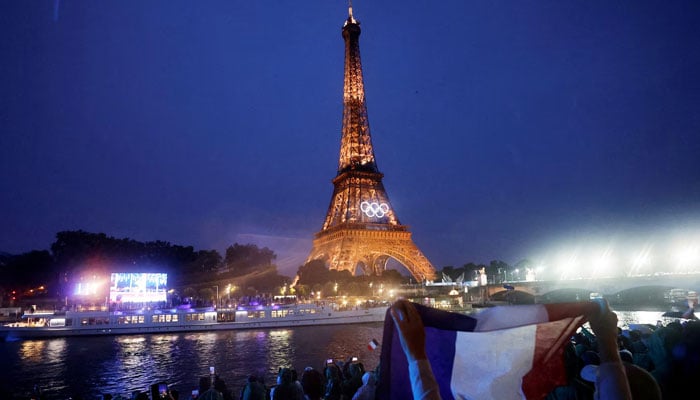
(138, 287)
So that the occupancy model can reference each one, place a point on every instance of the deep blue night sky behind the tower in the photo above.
(505, 129)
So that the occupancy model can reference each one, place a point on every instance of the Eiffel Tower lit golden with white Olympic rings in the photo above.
(361, 228)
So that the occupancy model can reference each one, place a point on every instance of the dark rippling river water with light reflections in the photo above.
(88, 367)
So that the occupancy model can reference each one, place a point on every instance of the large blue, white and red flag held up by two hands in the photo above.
(504, 353)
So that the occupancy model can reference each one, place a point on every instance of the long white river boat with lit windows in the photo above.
(81, 323)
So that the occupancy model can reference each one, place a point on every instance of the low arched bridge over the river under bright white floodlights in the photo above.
(649, 286)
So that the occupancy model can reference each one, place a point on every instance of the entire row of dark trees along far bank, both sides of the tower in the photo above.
(245, 267)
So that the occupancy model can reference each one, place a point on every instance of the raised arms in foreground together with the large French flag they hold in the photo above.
(511, 352)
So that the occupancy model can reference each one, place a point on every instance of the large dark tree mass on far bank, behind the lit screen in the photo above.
(77, 253)
